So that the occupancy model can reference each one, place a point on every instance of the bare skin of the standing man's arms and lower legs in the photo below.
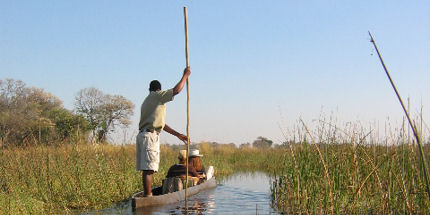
(147, 174)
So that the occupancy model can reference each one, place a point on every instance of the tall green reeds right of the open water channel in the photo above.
(332, 171)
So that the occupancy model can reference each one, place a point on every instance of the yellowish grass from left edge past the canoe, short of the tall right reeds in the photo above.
(72, 178)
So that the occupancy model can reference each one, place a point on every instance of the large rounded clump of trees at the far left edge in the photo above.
(30, 115)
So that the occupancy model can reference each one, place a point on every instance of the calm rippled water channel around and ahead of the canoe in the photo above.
(243, 193)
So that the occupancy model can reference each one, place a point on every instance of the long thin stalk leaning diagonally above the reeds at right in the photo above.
(414, 128)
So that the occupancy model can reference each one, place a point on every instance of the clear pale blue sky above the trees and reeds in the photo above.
(255, 64)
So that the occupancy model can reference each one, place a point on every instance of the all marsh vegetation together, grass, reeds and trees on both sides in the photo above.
(49, 165)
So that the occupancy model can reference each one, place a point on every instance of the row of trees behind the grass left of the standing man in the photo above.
(29, 115)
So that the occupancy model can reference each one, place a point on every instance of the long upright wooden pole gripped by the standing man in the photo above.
(188, 105)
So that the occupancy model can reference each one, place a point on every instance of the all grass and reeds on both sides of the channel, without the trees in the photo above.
(335, 171)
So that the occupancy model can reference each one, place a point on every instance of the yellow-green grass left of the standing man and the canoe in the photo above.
(54, 180)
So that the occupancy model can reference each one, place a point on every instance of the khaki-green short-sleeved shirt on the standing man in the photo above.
(153, 110)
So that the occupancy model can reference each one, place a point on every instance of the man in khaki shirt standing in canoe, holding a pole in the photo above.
(152, 122)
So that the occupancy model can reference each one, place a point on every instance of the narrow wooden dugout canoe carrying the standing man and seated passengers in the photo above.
(138, 201)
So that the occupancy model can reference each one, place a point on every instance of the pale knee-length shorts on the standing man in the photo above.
(147, 151)
